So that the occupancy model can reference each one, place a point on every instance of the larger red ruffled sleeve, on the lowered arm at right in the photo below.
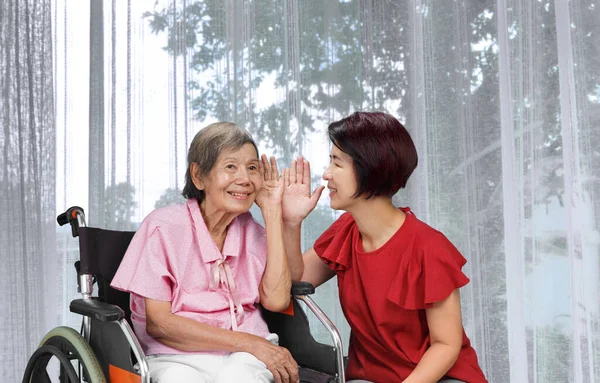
(429, 274)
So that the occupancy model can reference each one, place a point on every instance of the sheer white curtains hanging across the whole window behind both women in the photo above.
(502, 98)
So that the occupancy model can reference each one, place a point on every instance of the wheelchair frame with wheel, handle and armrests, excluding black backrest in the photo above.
(66, 344)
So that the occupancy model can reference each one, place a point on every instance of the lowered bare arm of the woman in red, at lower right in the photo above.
(445, 330)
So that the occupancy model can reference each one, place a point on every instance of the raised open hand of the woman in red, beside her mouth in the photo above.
(298, 201)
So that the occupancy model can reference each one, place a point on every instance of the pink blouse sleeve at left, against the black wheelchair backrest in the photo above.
(145, 268)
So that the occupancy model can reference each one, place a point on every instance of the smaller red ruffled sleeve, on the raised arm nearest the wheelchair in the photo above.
(334, 246)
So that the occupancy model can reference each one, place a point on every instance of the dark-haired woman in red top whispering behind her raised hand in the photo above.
(398, 278)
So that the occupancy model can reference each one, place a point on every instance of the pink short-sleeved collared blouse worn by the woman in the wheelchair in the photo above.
(172, 257)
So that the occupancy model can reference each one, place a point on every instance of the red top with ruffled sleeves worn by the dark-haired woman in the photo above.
(384, 294)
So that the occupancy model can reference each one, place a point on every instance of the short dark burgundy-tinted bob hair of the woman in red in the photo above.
(383, 152)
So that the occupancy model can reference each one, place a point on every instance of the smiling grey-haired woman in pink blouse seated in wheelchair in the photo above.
(197, 271)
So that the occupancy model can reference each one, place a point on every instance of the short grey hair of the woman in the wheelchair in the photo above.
(206, 147)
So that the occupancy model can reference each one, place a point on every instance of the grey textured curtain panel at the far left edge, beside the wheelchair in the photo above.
(27, 181)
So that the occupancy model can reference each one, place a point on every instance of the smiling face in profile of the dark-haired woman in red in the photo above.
(341, 179)
